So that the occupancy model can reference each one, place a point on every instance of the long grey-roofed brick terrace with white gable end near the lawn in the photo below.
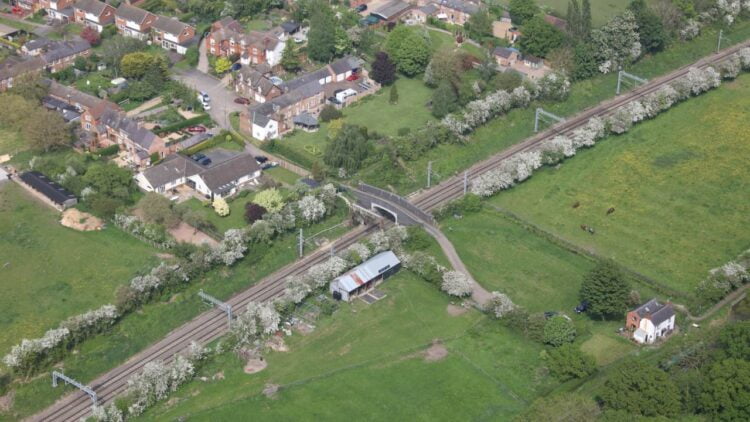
(307, 94)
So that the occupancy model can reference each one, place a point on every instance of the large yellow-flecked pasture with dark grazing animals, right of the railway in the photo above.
(678, 185)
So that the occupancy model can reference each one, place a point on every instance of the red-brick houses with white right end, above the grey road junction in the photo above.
(229, 39)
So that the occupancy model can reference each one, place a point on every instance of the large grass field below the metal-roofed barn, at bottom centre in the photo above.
(368, 360)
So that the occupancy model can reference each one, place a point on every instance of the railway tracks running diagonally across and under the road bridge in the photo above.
(212, 324)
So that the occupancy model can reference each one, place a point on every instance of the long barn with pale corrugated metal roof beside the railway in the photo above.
(364, 276)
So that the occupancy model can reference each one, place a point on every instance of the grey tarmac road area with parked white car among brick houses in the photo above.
(222, 99)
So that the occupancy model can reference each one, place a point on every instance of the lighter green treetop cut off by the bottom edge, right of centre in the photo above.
(563, 407)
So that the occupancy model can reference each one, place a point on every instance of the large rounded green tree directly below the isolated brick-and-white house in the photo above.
(640, 390)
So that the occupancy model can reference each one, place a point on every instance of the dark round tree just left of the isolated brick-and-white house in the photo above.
(606, 291)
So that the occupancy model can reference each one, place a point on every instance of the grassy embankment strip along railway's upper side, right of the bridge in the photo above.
(517, 125)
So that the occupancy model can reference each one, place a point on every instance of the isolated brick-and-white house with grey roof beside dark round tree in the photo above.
(650, 321)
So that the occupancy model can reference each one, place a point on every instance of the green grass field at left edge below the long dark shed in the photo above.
(49, 272)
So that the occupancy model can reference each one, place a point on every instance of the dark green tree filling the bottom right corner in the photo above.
(725, 391)
